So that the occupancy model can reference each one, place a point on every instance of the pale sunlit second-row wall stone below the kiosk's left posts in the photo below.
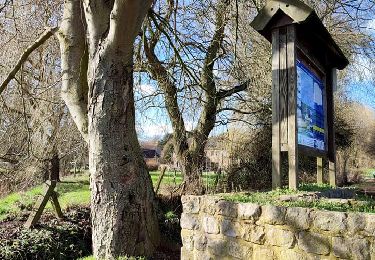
(279, 237)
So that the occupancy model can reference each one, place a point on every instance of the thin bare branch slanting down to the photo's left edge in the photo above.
(42, 38)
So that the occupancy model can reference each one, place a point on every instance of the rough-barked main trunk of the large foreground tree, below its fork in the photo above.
(123, 217)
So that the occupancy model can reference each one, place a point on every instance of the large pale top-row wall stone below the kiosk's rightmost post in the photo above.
(334, 222)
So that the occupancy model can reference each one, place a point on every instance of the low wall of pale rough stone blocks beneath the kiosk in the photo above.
(213, 228)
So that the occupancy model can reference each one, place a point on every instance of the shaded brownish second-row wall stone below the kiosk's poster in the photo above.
(313, 243)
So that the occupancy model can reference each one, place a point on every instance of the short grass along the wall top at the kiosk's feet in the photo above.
(361, 204)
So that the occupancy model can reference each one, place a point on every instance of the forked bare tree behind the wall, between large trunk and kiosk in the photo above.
(207, 95)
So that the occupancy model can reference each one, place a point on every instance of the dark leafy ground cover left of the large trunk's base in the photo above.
(54, 240)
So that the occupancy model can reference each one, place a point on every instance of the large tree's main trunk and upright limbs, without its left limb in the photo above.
(124, 220)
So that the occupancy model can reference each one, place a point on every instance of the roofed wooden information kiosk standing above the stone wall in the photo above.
(304, 63)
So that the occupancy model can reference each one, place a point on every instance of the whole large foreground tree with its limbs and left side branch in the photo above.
(96, 41)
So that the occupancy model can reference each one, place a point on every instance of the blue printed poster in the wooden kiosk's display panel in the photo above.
(310, 111)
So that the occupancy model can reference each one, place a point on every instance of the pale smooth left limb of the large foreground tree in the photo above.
(74, 63)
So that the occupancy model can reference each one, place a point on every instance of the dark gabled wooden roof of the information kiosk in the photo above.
(310, 29)
